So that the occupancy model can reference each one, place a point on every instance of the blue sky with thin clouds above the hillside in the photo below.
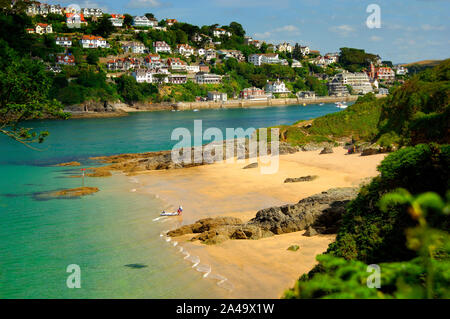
(410, 30)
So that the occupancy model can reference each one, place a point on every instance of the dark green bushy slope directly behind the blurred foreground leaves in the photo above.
(371, 234)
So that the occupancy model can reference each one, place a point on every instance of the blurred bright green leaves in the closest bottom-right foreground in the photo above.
(425, 276)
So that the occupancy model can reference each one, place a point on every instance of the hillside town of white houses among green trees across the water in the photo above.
(171, 53)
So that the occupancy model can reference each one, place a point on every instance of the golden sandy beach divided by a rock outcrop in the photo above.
(256, 268)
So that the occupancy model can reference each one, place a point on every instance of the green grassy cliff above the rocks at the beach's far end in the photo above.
(417, 112)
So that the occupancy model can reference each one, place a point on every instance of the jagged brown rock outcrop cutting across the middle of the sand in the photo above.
(319, 214)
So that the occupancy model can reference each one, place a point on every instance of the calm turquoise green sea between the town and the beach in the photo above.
(110, 234)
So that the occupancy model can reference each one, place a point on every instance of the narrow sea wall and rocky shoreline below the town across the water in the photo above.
(124, 110)
